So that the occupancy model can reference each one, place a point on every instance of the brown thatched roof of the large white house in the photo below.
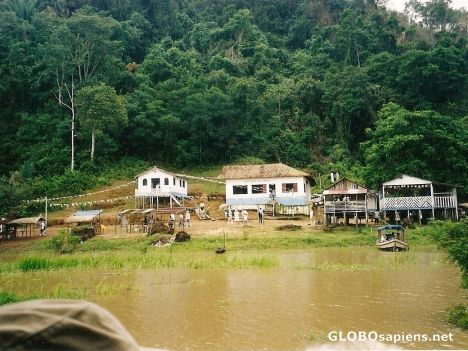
(274, 170)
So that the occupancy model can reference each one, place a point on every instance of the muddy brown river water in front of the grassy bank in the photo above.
(292, 307)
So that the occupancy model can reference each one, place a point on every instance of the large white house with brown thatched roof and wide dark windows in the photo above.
(249, 186)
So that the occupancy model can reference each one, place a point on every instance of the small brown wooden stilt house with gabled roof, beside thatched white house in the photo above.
(346, 198)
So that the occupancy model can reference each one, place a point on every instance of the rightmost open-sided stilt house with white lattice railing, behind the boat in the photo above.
(417, 199)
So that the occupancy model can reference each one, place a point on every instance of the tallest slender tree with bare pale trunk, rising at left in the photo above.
(80, 50)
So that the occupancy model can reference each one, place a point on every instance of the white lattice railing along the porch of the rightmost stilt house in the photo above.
(417, 202)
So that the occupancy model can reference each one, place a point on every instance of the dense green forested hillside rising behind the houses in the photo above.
(316, 84)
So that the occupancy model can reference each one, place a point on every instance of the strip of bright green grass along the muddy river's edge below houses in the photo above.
(247, 252)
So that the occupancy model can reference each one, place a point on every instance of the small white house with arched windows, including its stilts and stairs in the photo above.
(159, 188)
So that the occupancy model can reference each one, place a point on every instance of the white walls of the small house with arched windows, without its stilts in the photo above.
(147, 190)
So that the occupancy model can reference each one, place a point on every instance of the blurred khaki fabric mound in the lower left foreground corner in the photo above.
(42, 325)
